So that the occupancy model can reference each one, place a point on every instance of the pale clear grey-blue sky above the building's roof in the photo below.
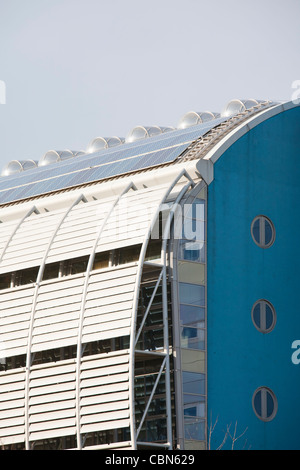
(78, 69)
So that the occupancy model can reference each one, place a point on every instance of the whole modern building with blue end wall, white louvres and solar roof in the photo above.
(149, 288)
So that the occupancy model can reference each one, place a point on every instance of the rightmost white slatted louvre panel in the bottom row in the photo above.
(104, 392)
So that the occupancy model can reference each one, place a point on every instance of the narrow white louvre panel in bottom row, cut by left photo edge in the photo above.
(12, 402)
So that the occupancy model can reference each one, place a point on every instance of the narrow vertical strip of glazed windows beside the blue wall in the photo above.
(191, 273)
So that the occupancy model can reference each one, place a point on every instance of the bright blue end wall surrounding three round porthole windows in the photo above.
(259, 174)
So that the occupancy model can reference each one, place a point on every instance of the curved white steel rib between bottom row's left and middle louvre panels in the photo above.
(34, 301)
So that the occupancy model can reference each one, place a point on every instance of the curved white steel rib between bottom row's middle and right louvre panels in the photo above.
(82, 309)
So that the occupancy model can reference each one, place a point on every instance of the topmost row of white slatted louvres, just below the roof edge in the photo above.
(76, 235)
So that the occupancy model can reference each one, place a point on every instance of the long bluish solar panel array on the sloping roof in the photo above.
(115, 161)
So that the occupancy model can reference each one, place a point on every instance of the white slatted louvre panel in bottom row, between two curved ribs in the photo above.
(52, 404)
